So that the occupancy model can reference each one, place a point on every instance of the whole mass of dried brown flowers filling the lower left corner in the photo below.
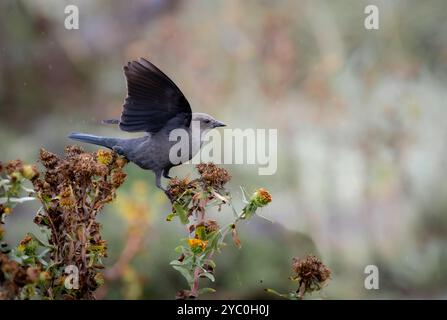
(72, 189)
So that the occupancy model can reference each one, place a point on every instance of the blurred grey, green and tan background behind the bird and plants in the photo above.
(361, 118)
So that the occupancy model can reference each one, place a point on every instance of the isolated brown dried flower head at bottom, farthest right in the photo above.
(311, 273)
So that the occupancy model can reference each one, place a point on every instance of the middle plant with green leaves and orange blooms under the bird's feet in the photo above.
(190, 201)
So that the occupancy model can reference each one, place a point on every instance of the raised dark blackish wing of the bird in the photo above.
(152, 99)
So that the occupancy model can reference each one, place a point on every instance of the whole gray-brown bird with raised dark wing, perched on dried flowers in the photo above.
(155, 105)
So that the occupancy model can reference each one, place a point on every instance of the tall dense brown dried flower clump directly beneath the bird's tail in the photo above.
(73, 190)
